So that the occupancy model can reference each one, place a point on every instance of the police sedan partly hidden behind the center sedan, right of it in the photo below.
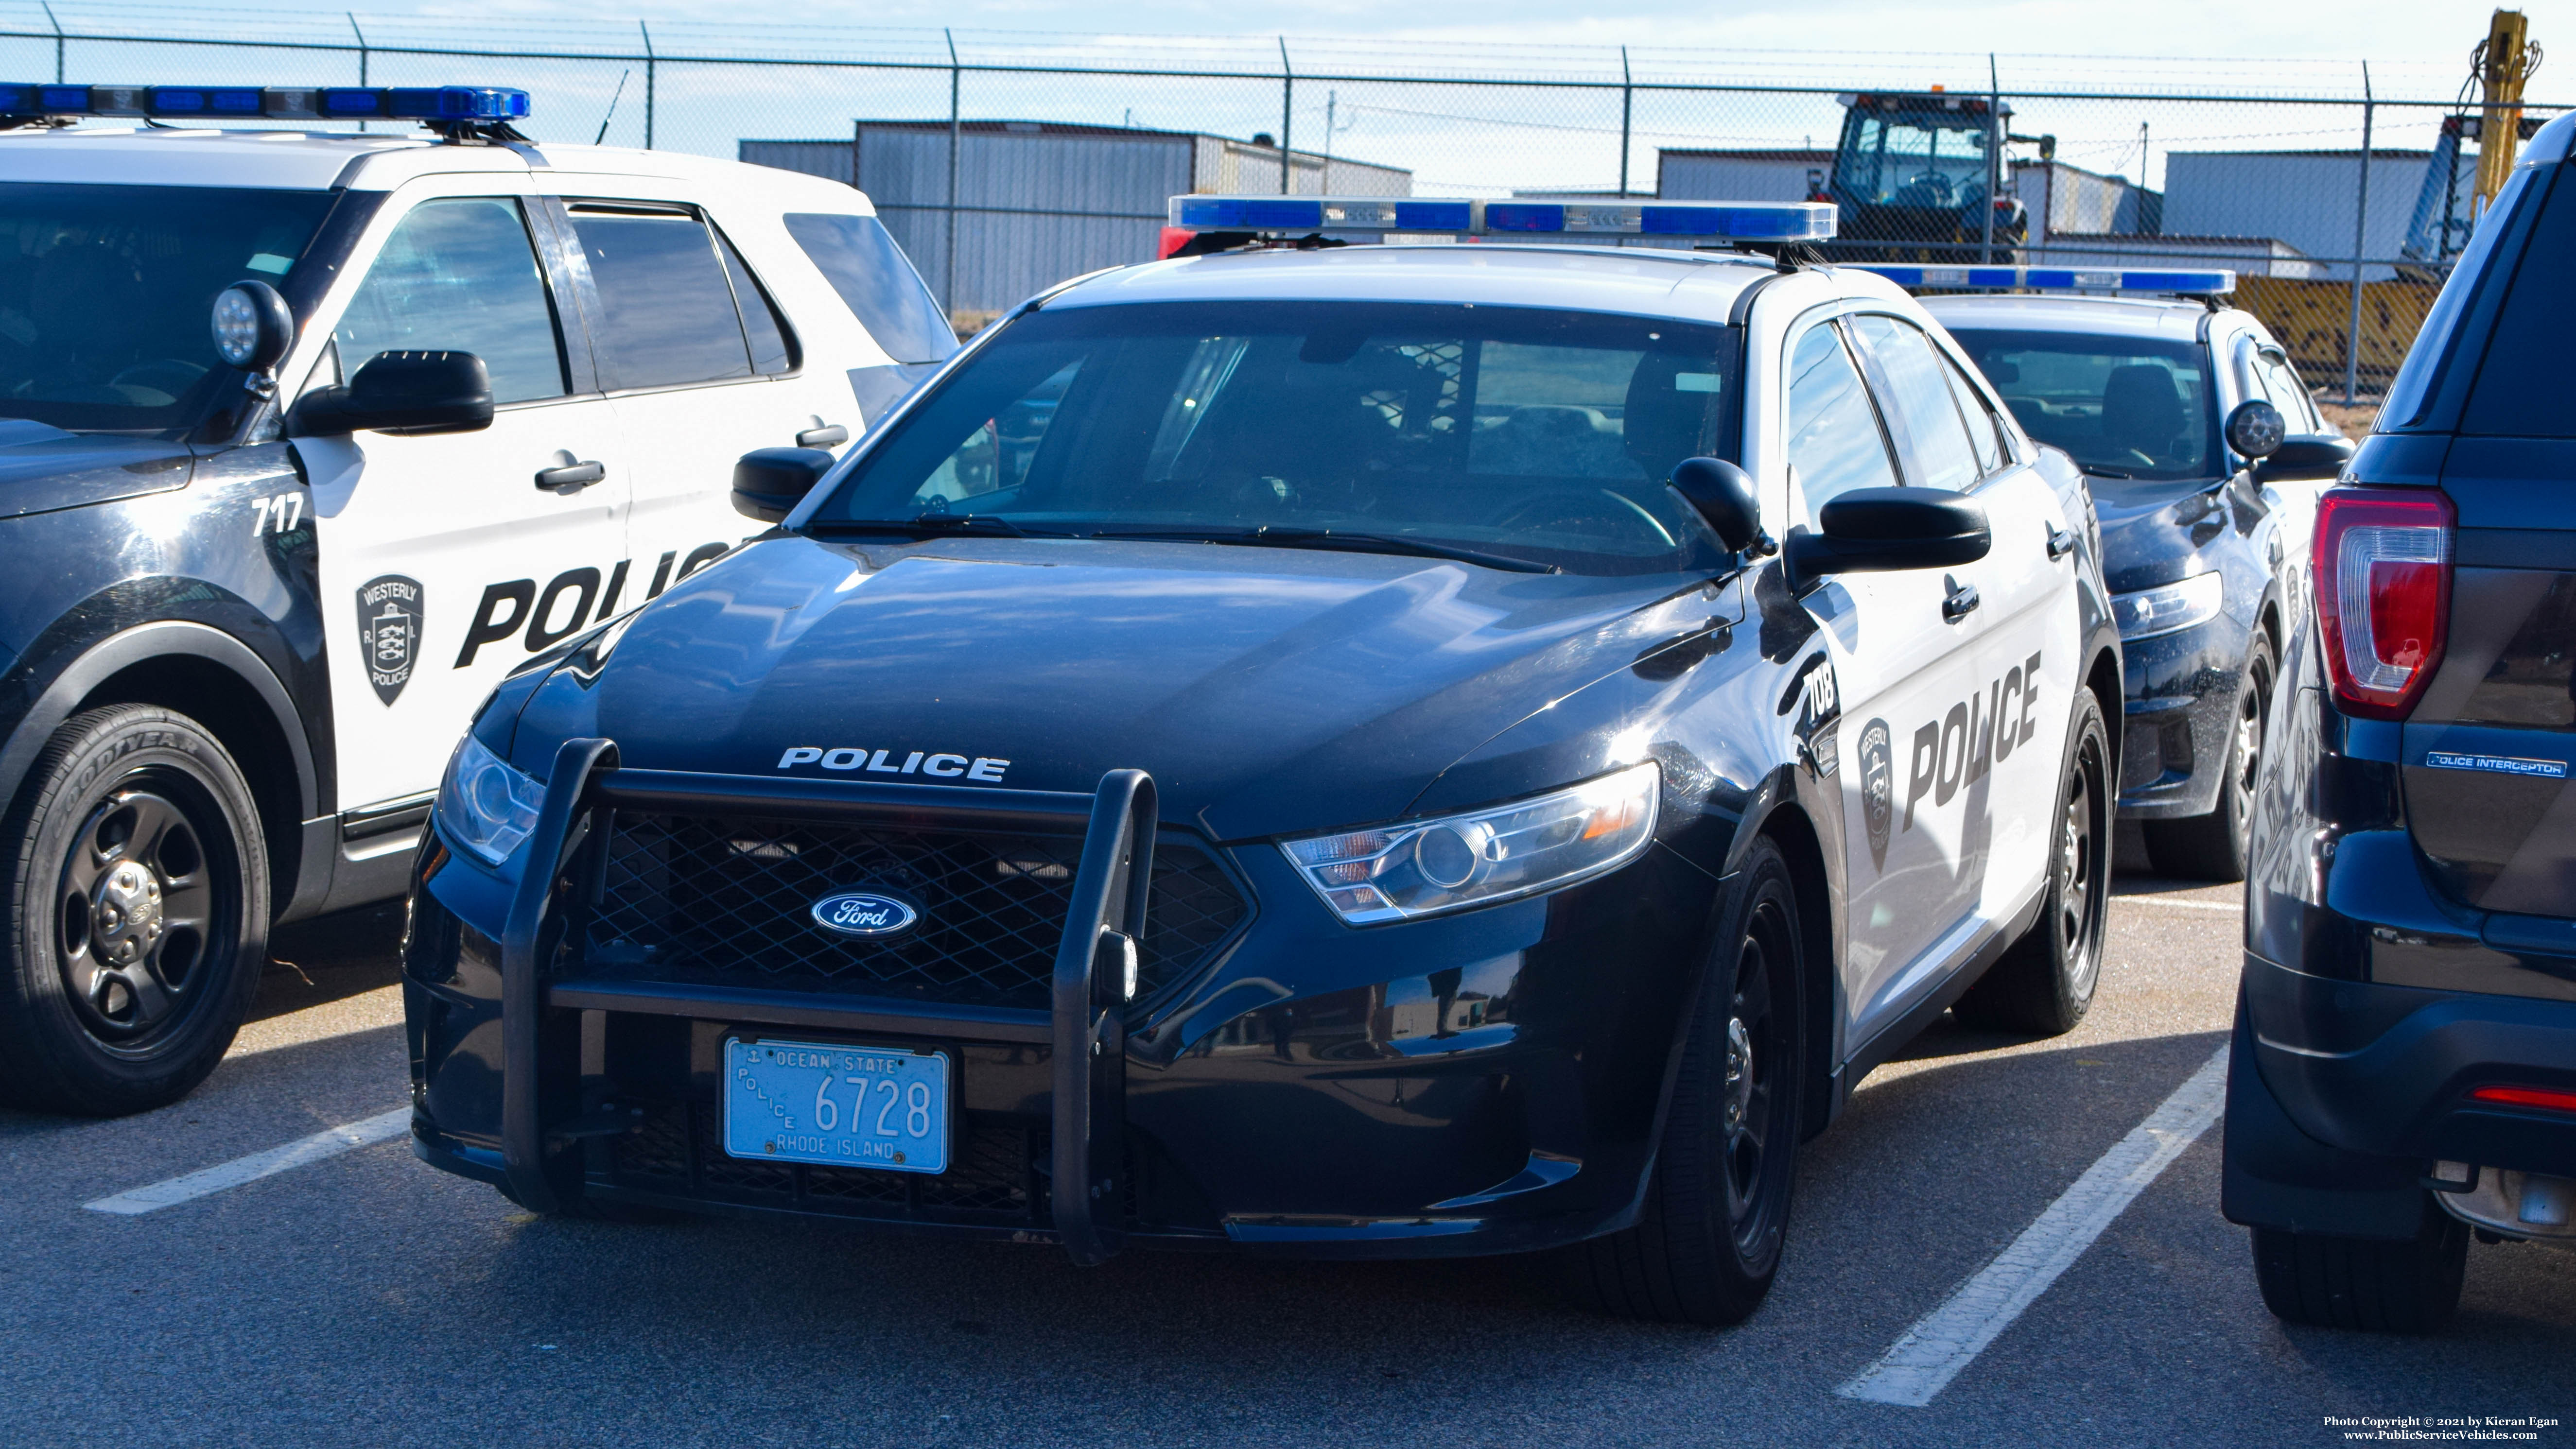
(2206, 457)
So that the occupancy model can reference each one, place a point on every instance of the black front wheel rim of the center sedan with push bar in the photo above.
(1753, 1139)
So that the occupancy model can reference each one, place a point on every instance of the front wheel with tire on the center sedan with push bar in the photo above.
(1717, 1208)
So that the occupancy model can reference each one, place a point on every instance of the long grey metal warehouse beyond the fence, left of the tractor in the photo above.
(1039, 202)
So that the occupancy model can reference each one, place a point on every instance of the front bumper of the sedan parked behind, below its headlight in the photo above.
(2181, 709)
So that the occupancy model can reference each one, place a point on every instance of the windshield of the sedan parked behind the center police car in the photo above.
(2126, 408)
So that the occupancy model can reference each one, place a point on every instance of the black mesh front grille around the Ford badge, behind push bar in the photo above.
(702, 900)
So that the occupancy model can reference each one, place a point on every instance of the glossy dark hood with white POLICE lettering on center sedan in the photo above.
(1266, 691)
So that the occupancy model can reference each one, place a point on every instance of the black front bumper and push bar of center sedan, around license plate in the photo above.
(1462, 1085)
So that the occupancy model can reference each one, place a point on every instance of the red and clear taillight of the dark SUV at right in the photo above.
(2382, 596)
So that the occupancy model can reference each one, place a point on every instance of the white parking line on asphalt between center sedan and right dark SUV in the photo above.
(1954, 1334)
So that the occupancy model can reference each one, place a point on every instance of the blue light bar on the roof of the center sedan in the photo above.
(1464, 217)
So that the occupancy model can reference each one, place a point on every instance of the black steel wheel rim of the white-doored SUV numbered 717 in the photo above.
(143, 910)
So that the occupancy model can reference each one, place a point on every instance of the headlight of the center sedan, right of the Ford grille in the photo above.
(1446, 863)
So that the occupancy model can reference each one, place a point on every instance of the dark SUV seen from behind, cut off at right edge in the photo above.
(2405, 1062)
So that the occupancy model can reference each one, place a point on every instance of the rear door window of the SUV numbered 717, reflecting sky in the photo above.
(666, 302)
